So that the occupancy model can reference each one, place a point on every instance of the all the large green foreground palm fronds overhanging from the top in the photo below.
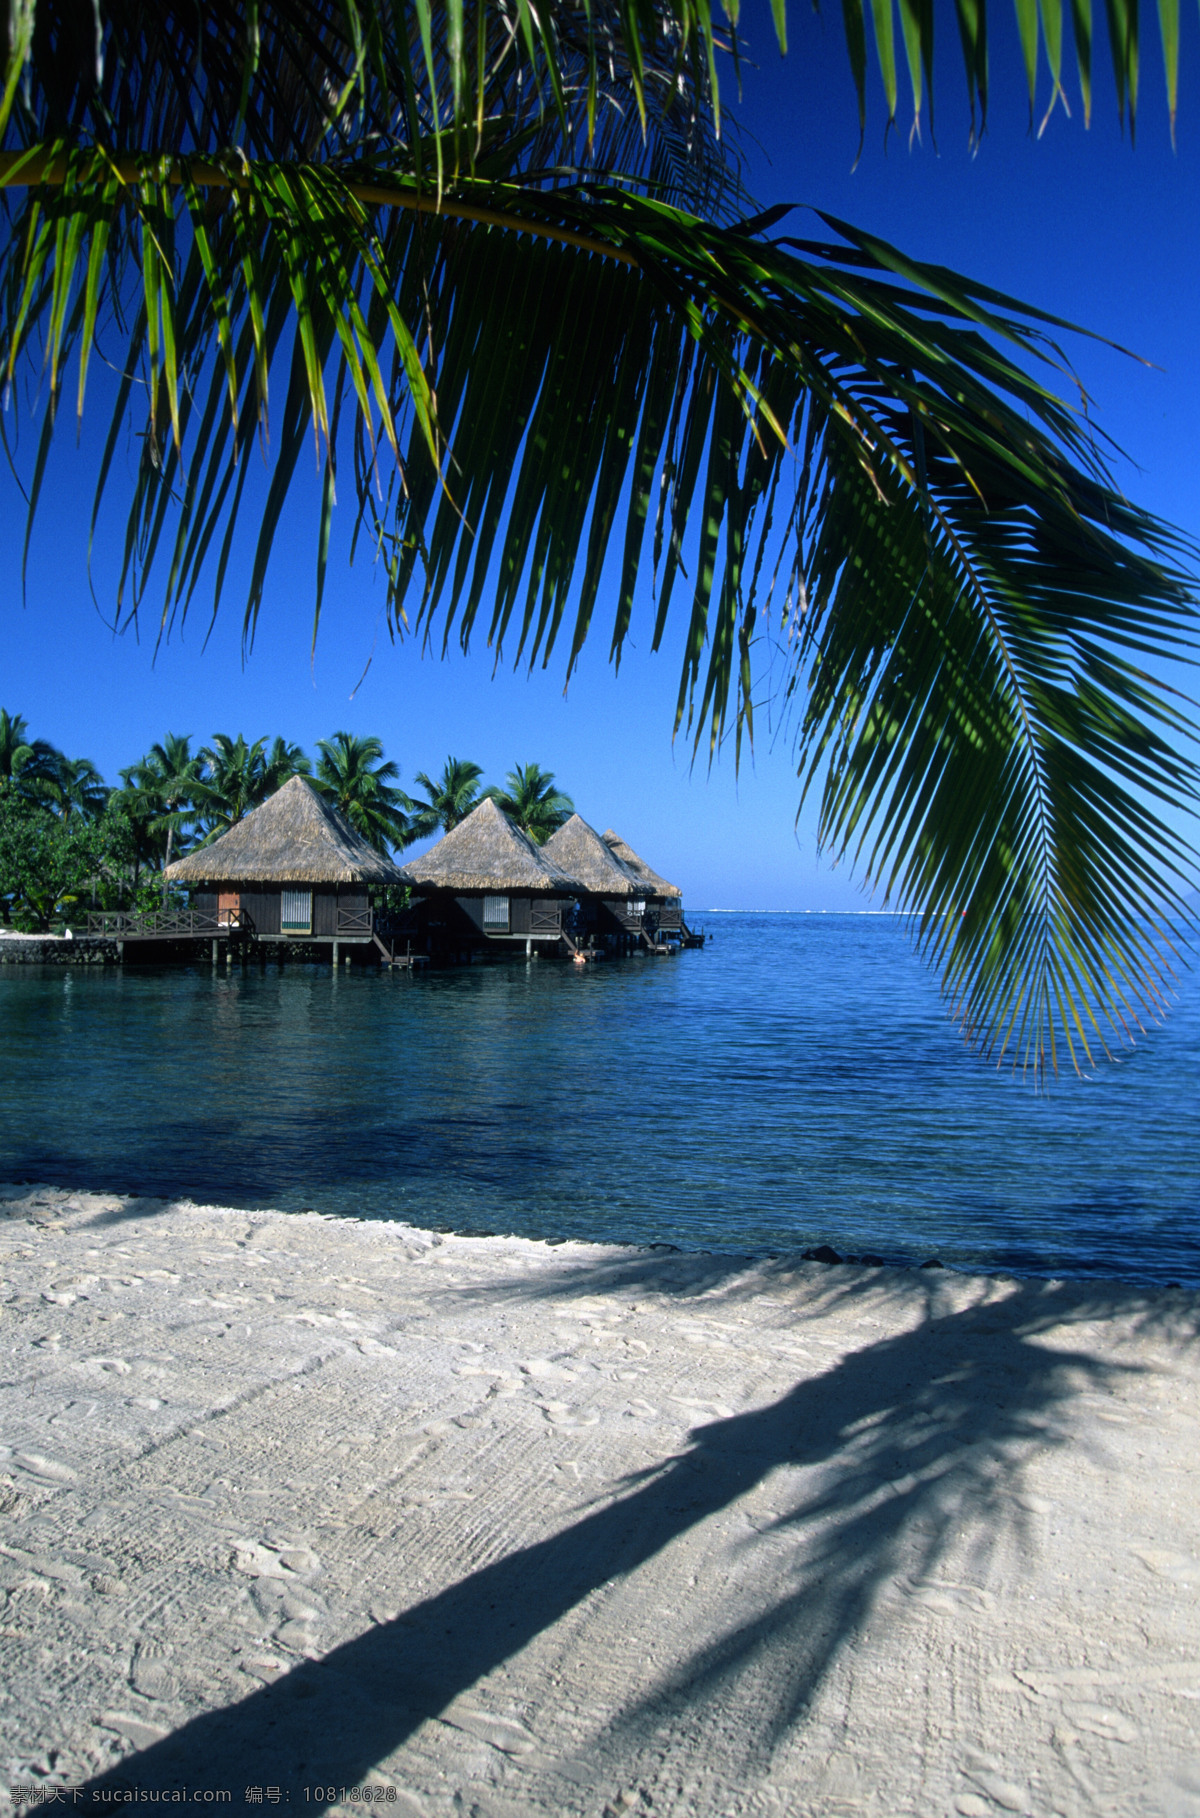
(445, 232)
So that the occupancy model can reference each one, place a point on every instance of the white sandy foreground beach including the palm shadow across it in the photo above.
(494, 1528)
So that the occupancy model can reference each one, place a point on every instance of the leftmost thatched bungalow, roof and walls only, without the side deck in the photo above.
(290, 870)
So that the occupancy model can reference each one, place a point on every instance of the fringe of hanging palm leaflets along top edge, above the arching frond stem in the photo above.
(299, 79)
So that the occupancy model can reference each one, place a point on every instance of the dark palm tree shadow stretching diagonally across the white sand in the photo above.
(908, 1443)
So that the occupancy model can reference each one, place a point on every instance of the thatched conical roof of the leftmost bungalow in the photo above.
(294, 839)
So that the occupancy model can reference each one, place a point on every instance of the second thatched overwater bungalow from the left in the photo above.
(486, 884)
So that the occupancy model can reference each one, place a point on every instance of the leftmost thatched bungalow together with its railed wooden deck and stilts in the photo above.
(294, 874)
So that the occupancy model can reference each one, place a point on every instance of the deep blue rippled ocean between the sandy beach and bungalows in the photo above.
(794, 1084)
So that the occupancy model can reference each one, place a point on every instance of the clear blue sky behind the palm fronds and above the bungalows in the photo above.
(1077, 223)
